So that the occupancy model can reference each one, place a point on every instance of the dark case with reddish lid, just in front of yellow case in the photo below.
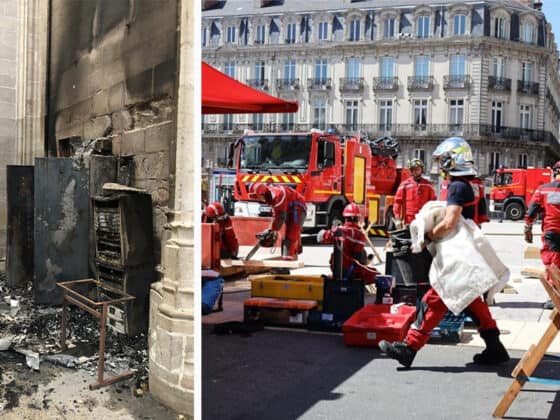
(277, 312)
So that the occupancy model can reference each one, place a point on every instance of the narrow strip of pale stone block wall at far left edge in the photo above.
(8, 60)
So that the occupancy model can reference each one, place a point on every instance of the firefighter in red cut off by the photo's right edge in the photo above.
(546, 198)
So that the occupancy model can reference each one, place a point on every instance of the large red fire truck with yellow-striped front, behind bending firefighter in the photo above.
(327, 169)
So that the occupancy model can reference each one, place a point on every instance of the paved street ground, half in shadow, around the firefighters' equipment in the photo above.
(288, 374)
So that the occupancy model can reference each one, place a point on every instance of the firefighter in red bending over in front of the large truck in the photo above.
(288, 206)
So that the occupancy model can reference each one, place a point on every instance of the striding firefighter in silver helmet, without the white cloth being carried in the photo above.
(455, 159)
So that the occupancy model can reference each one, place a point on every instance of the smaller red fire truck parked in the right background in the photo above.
(513, 189)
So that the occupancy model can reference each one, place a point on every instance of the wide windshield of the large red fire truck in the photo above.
(275, 151)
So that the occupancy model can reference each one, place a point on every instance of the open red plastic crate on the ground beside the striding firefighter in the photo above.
(374, 323)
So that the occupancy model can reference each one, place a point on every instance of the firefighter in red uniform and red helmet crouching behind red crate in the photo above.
(354, 256)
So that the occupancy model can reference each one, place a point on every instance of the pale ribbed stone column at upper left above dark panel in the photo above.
(31, 79)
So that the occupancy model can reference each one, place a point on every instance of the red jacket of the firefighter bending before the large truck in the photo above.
(288, 206)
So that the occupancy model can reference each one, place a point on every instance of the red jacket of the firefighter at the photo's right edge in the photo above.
(546, 198)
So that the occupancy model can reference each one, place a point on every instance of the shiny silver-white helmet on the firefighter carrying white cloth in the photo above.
(455, 157)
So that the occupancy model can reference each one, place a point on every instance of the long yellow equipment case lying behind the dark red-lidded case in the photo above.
(286, 286)
